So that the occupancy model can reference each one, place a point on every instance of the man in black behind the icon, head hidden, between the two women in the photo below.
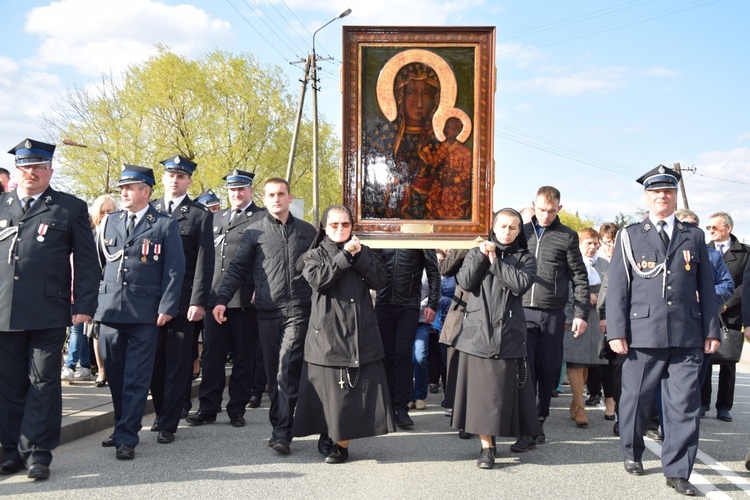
(397, 309)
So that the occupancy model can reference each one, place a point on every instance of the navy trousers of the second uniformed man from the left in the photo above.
(129, 351)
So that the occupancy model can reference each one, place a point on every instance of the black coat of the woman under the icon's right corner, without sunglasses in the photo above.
(494, 324)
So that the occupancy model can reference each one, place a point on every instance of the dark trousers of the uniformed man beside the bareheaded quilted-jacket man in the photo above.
(238, 335)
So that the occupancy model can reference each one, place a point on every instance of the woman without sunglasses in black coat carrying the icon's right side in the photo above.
(494, 394)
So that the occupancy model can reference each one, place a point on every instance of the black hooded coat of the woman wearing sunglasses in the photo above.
(343, 328)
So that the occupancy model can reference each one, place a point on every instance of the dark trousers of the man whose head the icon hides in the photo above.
(398, 329)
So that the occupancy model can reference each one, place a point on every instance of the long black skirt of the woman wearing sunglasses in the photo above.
(347, 412)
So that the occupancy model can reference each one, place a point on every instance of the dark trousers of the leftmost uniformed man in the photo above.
(30, 394)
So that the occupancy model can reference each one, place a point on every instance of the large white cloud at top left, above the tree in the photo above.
(96, 36)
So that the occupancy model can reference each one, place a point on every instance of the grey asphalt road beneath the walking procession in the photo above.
(218, 461)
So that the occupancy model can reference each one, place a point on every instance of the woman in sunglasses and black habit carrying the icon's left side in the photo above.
(343, 389)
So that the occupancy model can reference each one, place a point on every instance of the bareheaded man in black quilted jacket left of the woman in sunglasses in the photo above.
(268, 254)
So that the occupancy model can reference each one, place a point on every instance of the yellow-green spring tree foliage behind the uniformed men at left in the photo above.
(224, 111)
